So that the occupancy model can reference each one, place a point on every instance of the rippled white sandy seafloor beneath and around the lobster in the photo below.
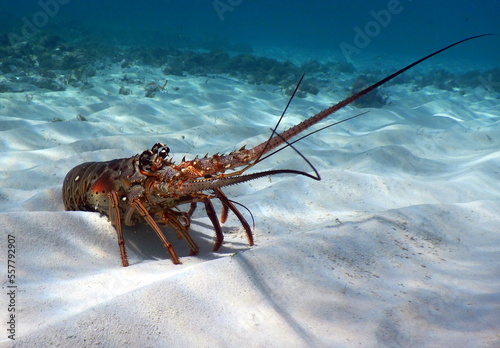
(397, 246)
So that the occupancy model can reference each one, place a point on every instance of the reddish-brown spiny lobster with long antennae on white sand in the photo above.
(152, 187)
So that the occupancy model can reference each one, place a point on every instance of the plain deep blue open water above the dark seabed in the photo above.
(350, 28)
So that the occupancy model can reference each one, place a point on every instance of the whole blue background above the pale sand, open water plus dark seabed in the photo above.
(222, 36)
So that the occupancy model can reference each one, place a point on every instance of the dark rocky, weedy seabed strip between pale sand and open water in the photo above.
(52, 63)
